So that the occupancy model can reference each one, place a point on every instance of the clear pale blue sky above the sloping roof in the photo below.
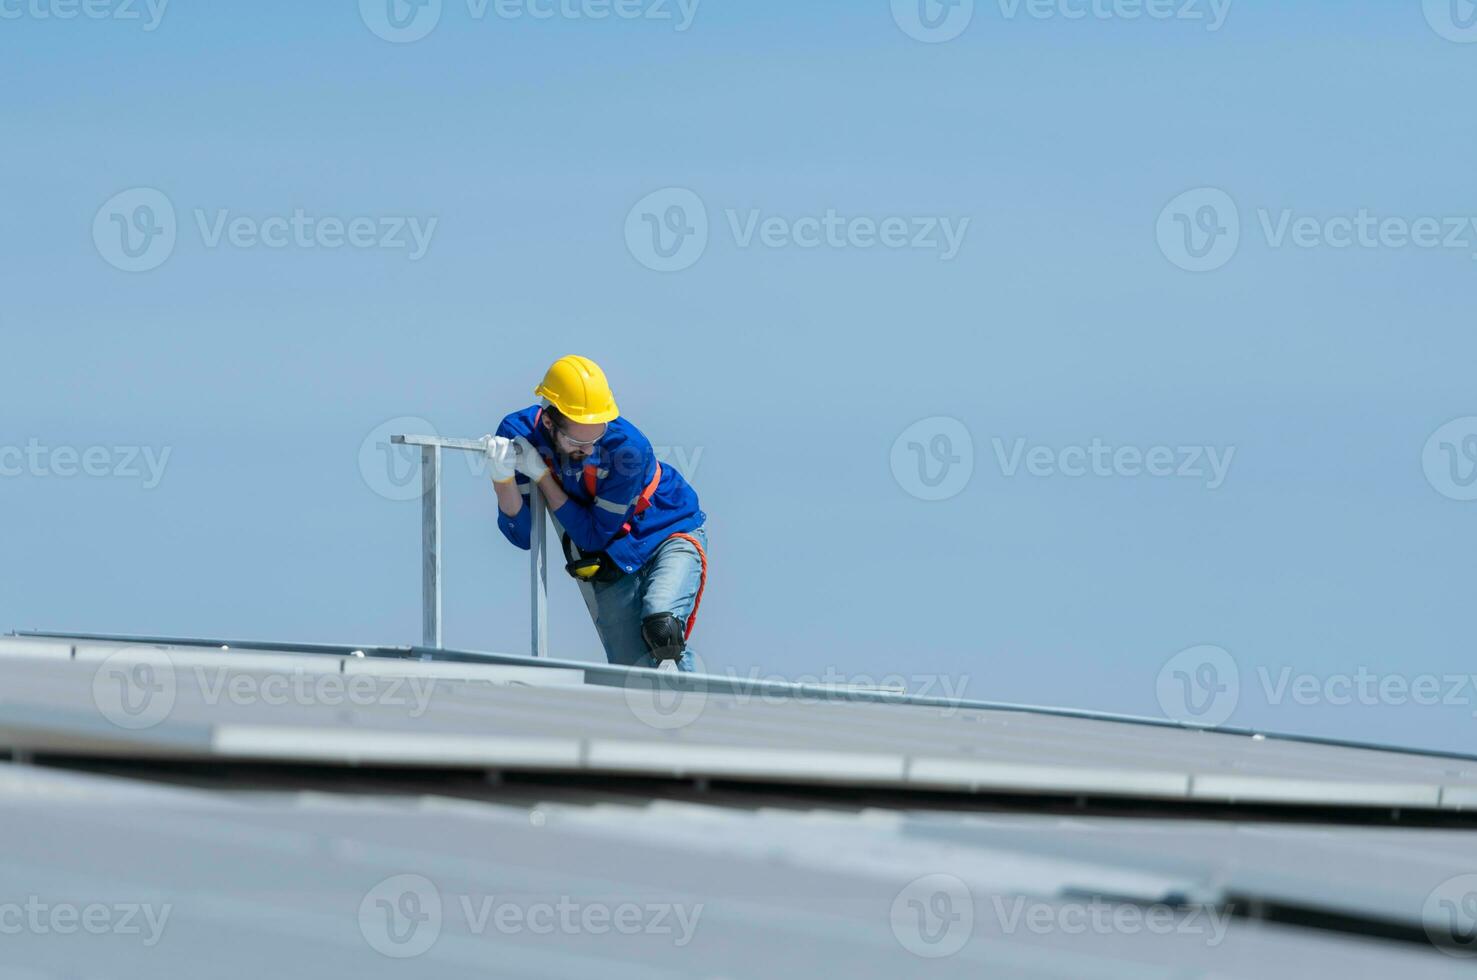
(787, 373)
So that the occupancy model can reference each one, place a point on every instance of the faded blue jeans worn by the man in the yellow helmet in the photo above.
(665, 584)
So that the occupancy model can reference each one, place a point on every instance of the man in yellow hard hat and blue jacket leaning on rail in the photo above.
(631, 528)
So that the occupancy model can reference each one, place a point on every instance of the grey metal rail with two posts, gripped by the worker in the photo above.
(432, 448)
